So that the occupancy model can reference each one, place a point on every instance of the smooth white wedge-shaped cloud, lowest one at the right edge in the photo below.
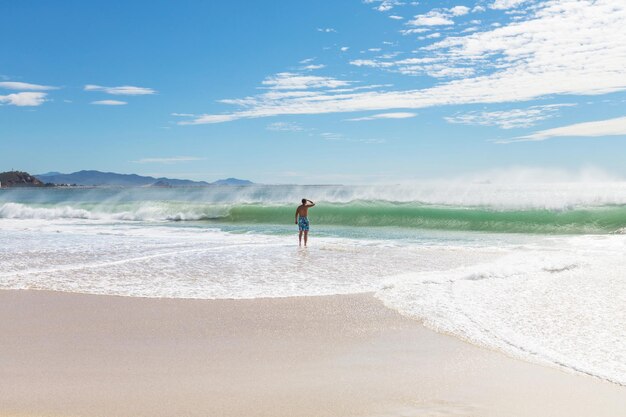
(610, 127)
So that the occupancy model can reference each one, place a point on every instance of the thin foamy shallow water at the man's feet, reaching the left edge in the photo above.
(201, 263)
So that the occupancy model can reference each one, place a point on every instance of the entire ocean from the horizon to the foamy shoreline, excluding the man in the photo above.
(537, 271)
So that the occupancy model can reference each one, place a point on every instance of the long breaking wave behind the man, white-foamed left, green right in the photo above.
(594, 220)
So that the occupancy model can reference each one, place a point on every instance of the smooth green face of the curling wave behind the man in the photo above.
(579, 221)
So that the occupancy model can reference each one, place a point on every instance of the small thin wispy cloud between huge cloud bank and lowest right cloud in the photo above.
(508, 119)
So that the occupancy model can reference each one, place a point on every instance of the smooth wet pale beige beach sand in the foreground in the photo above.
(86, 355)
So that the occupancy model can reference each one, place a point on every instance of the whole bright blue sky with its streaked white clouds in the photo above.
(313, 92)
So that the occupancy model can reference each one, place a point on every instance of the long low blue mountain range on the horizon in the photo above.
(98, 178)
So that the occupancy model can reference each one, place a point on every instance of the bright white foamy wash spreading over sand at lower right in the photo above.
(561, 303)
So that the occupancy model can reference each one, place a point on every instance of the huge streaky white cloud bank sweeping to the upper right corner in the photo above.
(563, 47)
